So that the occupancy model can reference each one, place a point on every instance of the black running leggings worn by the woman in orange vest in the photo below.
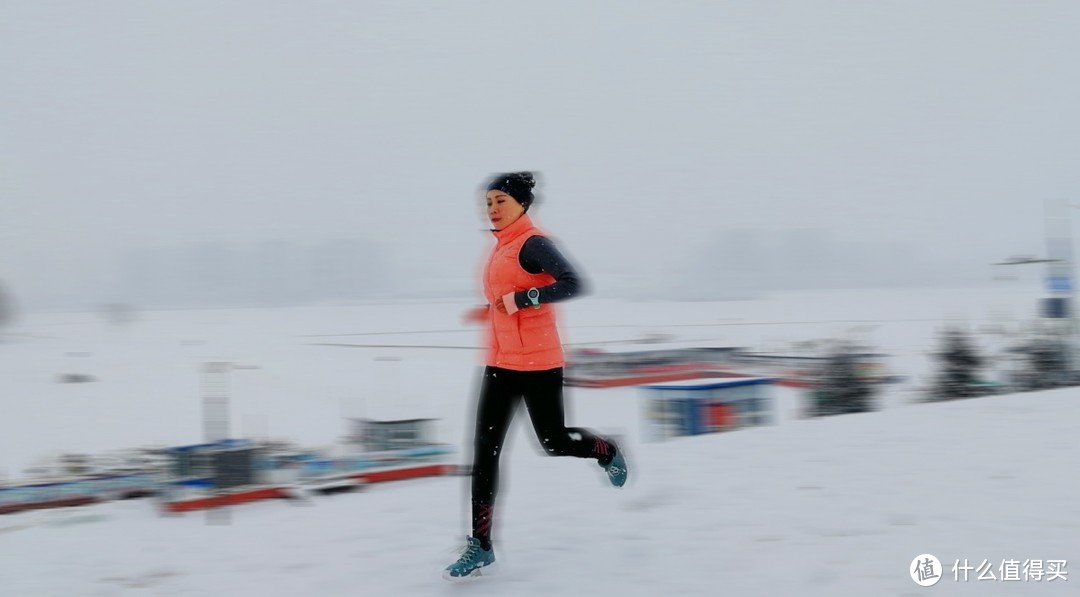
(499, 397)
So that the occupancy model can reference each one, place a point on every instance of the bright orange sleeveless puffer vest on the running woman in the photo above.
(526, 341)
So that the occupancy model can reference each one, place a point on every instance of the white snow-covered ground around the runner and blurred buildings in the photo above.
(833, 507)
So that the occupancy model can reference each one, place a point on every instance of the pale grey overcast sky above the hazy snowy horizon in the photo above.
(143, 124)
